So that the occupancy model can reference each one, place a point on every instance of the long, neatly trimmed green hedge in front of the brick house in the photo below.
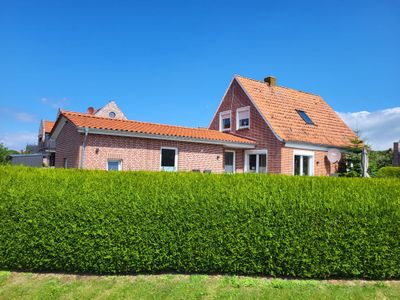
(134, 222)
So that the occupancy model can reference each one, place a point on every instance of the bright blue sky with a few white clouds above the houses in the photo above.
(171, 61)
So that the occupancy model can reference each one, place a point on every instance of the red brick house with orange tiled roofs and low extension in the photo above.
(257, 127)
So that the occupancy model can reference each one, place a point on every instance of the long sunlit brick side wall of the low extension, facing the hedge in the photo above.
(144, 154)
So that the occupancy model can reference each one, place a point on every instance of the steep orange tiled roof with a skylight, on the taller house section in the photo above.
(281, 107)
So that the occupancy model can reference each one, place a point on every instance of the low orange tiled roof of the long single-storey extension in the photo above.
(113, 126)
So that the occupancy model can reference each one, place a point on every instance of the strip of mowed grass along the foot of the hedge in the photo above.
(15, 285)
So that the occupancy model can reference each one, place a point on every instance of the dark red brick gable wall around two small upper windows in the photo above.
(259, 131)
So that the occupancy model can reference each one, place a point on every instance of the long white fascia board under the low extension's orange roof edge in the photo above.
(166, 137)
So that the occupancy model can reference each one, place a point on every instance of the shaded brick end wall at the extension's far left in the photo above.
(68, 146)
